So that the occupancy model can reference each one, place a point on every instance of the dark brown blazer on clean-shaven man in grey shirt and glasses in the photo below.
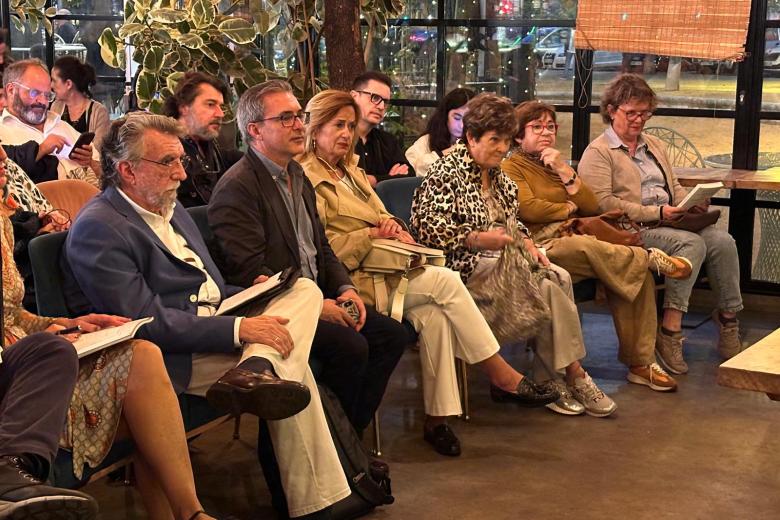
(255, 233)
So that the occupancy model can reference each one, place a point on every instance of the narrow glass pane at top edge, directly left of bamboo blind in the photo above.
(507, 9)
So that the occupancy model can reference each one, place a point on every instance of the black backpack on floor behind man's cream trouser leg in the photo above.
(368, 478)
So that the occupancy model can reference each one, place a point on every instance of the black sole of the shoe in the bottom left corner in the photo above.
(49, 508)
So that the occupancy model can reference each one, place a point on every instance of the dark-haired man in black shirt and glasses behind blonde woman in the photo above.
(380, 153)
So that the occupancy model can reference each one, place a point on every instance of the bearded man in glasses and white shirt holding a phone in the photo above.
(27, 118)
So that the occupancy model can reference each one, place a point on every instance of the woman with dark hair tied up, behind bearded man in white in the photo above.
(71, 80)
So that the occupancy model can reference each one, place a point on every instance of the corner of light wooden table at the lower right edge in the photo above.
(757, 368)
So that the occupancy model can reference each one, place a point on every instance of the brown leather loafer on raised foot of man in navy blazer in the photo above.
(261, 394)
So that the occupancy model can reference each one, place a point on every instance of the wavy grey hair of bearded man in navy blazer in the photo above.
(125, 142)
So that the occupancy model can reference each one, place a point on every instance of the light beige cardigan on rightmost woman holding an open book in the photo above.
(615, 180)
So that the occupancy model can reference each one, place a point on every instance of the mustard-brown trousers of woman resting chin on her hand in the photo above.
(629, 286)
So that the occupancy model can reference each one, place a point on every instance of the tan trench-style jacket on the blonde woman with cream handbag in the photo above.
(347, 219)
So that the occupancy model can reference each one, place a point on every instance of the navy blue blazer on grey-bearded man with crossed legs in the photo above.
(115, 264)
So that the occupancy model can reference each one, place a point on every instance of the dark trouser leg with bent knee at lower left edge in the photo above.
(37, 377)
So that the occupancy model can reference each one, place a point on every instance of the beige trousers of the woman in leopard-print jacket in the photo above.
(560, 343)
